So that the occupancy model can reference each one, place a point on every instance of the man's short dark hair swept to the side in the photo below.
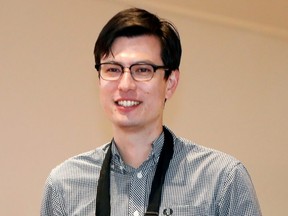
(135, 22)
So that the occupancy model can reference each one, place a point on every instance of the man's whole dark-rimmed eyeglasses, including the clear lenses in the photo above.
(112, 71)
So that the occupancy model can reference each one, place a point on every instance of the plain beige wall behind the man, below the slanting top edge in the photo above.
(232, 96)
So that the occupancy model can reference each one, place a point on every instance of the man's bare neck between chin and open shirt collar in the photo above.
(135, 146)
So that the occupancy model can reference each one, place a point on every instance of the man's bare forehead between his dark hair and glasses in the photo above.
(144, 47)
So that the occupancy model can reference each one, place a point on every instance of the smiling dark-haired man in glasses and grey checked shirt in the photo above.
(146, 169)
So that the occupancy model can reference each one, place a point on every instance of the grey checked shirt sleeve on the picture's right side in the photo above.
(238, 196)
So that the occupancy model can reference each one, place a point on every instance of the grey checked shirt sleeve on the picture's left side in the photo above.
(52, 204)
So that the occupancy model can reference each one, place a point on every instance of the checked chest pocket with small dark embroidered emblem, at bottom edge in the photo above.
(184, 210)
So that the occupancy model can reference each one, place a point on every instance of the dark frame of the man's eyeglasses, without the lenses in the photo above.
(155, 68)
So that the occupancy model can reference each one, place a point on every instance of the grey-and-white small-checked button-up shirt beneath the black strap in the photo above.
(199, 181)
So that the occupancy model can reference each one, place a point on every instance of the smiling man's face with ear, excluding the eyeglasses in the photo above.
(133, 104)
